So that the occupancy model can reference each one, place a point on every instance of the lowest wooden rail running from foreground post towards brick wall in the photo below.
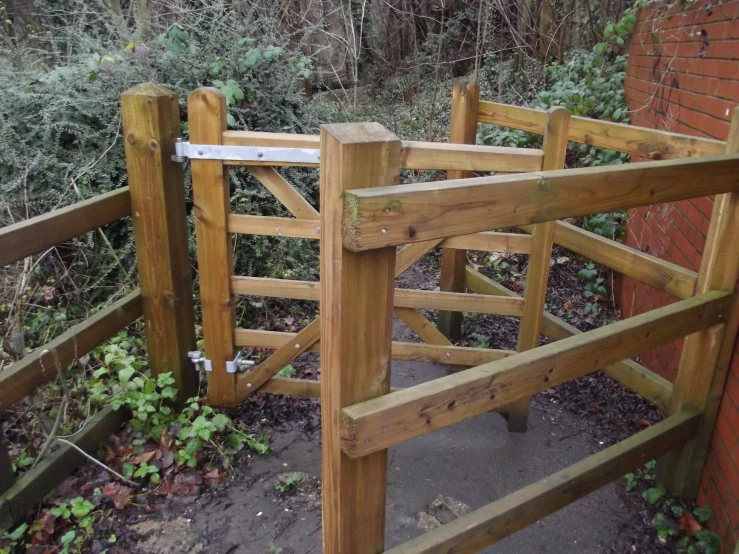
(491, 523)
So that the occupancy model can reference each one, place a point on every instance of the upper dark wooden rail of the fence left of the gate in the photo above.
(38, 233)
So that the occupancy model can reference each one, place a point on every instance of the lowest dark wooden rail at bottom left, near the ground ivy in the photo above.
(34, 485)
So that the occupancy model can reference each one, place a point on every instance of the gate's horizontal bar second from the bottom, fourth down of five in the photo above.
(407, 351)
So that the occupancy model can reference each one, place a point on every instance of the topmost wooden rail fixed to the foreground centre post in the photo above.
(409, 213)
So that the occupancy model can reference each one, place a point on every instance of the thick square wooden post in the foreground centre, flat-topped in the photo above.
(356, 335)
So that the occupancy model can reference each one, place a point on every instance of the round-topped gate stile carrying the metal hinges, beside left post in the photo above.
(206, 108)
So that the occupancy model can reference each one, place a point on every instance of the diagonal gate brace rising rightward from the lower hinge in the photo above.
(250, 382)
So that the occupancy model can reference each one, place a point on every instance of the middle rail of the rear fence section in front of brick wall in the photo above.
(671, 278)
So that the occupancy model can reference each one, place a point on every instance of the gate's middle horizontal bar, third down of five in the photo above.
(404, 298)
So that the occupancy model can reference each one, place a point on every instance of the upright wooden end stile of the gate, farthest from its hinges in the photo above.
(537, 273)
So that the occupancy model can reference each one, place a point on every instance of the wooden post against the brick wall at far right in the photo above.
(706, 356)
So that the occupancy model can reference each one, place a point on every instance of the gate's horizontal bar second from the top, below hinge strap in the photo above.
(311, 229)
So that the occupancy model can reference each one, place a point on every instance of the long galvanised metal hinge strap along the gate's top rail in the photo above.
(185, 150)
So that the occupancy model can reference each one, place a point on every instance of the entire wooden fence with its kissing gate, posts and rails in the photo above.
(364, 215)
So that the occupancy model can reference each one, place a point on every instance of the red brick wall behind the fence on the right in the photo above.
(683, 76)
